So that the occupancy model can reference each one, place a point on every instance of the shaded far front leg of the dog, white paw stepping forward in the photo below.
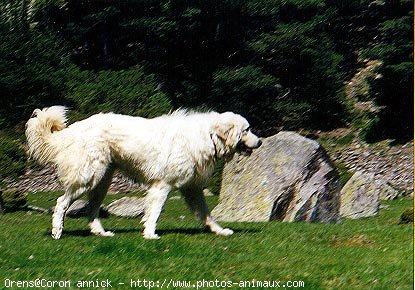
(196, 201)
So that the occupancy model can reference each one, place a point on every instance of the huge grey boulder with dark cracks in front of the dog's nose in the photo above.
(289, 178)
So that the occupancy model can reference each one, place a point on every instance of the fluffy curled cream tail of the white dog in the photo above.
(39, 130)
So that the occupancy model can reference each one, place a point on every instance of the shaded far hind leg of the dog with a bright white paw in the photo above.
(96, 196)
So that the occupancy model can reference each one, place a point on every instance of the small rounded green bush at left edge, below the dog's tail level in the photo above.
(12, 157)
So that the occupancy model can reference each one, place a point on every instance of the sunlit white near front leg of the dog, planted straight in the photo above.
(155, 200)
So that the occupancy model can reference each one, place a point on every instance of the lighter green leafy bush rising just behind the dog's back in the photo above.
(131, 92)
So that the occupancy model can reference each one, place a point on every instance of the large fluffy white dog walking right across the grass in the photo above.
(175, 151)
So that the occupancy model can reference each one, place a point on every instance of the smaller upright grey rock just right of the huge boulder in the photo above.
(360, 196)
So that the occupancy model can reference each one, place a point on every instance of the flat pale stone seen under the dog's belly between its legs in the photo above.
(127, 207)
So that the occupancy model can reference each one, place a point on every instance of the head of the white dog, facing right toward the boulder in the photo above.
(234, 133)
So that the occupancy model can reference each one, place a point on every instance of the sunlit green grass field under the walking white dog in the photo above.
(372, 253)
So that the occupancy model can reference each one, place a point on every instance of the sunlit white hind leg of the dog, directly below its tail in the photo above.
(62, 205)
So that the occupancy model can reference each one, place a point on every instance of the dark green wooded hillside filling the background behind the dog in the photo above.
(281, 64)
